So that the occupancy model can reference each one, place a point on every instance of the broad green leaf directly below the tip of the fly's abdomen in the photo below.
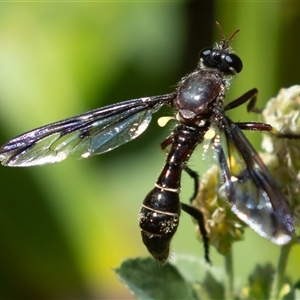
(185, 277)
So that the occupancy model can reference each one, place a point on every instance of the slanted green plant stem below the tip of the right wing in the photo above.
(278, 279)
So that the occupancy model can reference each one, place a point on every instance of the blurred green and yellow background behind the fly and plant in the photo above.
(64, 227)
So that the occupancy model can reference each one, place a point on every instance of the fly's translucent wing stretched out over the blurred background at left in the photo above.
(87, 134)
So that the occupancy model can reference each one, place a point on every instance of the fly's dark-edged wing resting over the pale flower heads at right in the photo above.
(250, 189)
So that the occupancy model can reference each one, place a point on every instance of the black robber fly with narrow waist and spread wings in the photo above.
(198, 103)
